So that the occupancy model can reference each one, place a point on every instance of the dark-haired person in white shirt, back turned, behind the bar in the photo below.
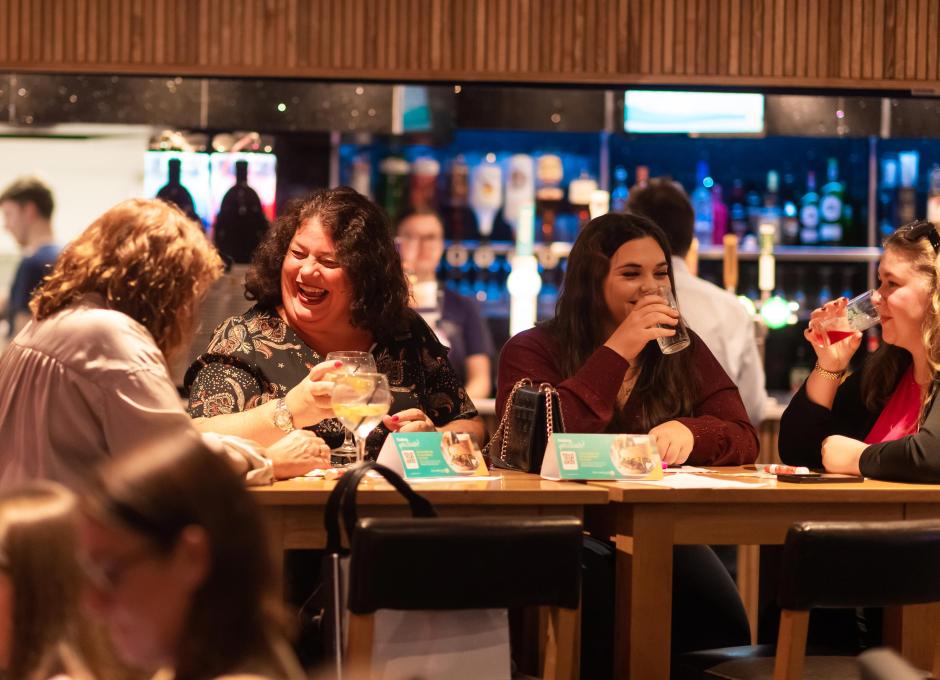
(713, 313)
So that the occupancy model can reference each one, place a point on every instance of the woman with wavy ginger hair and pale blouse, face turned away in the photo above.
(87, 378)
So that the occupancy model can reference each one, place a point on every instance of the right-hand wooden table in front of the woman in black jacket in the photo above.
(646, 522)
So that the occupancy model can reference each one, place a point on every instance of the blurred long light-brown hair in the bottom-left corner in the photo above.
(37, 552)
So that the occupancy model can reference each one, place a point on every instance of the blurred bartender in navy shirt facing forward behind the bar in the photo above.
(455, 318)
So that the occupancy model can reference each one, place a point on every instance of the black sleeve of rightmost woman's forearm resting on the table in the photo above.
(915, 458)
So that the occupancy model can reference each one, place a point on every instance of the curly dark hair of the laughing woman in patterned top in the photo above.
(362, 235)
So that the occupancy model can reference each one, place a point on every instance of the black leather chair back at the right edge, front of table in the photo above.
(854, 564)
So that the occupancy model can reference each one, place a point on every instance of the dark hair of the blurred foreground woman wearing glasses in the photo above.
(156, 493)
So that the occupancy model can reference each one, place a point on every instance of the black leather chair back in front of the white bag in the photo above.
(465, 563)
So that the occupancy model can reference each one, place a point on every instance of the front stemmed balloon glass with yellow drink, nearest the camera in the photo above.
(359, 401)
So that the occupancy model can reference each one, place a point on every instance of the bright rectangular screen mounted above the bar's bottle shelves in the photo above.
(654, 111)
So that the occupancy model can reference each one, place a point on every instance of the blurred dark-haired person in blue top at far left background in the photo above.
(27, 207)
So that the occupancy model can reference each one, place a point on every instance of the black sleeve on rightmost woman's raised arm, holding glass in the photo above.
(805, 424)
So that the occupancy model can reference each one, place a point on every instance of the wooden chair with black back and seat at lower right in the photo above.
(834, 564)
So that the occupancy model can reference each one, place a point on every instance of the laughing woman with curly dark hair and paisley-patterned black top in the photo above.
(327, 278)
